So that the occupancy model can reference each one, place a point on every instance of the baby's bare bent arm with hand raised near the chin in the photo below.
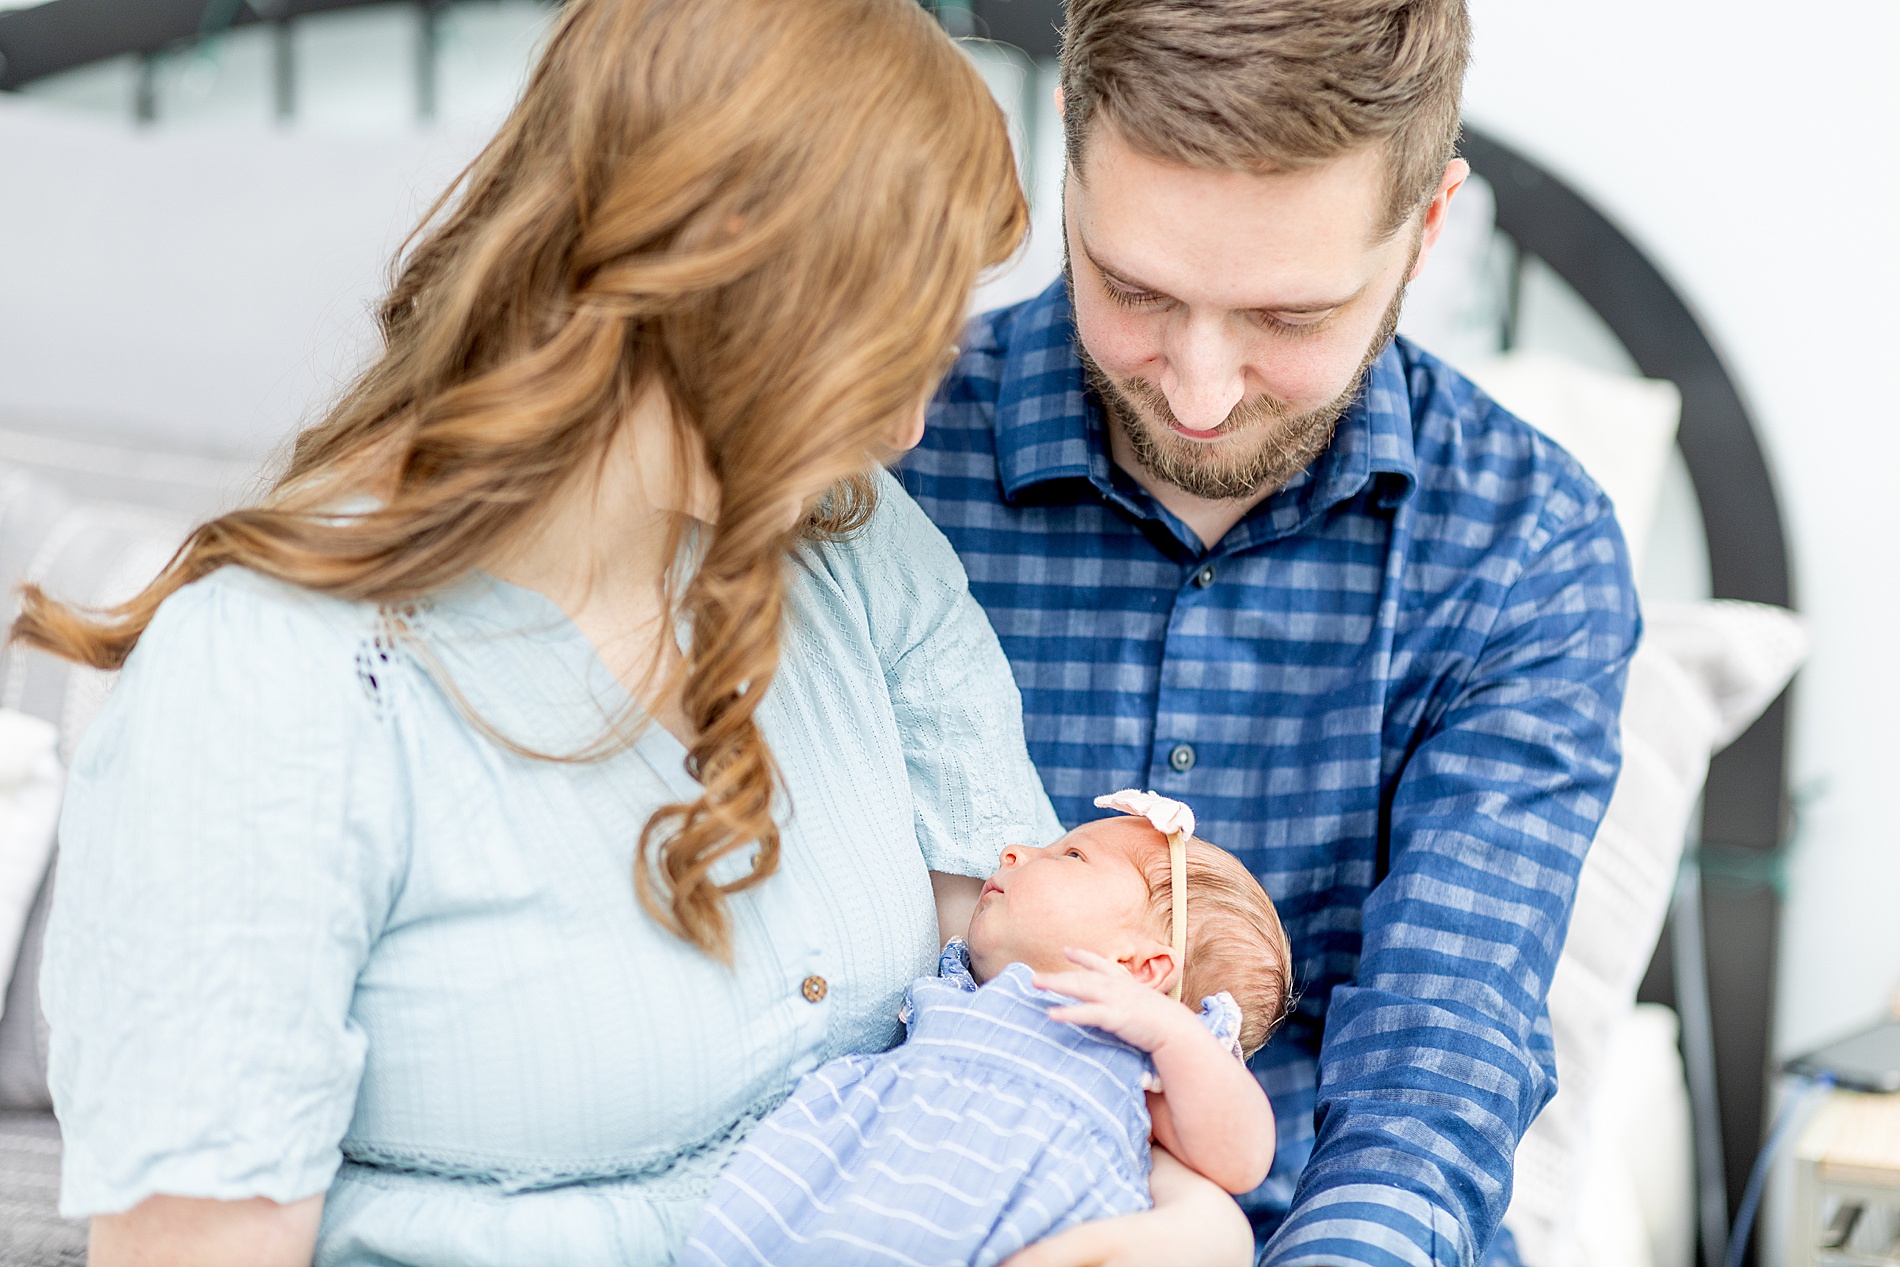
(1213, 1116)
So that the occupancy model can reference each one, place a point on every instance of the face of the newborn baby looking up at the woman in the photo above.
(1084, 892)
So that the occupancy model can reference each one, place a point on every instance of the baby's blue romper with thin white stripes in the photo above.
(989, 1129)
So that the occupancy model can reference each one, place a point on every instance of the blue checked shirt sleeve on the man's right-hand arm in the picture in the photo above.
(1437, 1057)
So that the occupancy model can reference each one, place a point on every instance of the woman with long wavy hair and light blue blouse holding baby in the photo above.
(497, 820)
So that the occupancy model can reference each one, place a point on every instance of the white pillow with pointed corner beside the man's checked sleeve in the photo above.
(1701, 675)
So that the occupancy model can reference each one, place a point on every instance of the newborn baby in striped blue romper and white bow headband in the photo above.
(1040, 1063)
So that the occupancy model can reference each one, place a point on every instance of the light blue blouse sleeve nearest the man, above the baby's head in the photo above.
(957, 702)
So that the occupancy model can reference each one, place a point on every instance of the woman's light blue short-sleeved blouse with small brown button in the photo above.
(316, 932)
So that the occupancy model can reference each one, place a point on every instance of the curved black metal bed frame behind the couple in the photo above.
(1745, 806)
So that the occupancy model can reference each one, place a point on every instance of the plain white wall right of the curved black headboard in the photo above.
(1751, 149)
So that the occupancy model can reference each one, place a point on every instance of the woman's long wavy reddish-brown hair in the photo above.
(776, 210)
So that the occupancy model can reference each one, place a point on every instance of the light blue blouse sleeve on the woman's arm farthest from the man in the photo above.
(227, 863)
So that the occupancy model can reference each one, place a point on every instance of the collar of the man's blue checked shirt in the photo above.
(1050, 428)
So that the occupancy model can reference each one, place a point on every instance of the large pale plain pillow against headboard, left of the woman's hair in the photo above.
(197, 290)
